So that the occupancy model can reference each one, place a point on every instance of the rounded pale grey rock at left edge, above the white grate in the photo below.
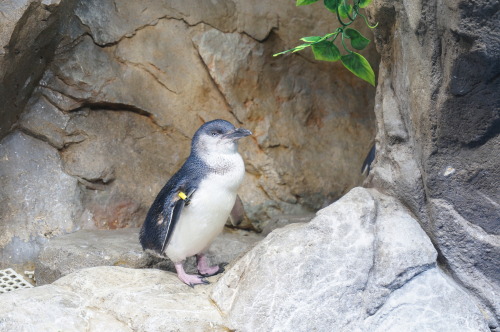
(37, 199)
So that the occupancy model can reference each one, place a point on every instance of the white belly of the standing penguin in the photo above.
(204, 218)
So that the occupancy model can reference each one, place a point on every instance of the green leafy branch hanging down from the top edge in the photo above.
(324, 48)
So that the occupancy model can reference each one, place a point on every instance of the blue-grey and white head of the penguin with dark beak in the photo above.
(218, 136)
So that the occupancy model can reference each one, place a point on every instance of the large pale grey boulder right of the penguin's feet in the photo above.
(363, 264)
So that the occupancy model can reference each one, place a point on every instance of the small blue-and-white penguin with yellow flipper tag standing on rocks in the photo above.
(193, 206)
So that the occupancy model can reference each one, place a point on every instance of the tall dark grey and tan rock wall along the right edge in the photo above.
(438, 142)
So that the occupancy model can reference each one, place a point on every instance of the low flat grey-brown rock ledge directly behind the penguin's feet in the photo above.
(88, 248)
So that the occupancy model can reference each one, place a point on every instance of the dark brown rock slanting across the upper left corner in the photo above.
(28, 39)
